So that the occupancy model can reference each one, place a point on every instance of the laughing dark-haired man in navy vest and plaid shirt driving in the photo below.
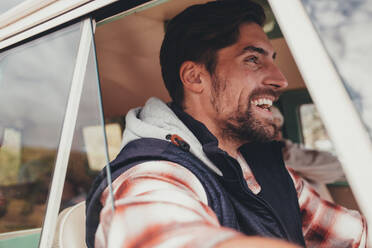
(203, 171)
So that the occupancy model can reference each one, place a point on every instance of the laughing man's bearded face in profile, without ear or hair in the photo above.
(244, 85)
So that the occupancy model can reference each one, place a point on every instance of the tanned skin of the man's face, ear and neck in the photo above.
(245, 71)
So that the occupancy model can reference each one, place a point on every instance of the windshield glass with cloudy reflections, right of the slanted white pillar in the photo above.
(345, 29)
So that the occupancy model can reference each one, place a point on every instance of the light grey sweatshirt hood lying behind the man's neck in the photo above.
(157, 120)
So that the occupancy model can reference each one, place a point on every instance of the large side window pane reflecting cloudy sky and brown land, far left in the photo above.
(35, 80)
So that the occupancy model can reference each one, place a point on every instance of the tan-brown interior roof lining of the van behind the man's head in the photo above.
(128, 57)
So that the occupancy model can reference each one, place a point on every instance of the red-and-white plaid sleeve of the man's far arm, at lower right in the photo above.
(325, 224)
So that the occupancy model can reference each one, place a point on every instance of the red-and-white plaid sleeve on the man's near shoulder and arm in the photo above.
(159, 204)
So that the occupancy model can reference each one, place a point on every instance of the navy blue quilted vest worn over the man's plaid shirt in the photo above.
(274, 212)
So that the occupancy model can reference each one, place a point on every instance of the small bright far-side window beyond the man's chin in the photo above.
(314, 133)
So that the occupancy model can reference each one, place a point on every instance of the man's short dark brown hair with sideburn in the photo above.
(197, 33)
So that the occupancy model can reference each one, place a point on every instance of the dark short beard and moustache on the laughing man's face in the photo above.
(243, 126)
